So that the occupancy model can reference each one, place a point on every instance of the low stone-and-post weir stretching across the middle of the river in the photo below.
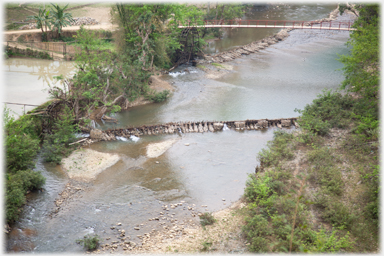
(186, 127)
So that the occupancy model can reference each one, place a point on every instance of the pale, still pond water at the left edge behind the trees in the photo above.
(27, 80)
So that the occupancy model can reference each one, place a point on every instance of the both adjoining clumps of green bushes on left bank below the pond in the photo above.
(22, 141)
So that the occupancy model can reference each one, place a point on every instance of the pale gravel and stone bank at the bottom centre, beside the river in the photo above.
(182, 236)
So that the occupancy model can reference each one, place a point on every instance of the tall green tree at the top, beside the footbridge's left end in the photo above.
(150, 32)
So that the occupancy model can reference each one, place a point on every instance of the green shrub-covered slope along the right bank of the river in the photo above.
(314, 193)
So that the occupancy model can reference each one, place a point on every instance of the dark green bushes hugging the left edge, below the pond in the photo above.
(21, 143)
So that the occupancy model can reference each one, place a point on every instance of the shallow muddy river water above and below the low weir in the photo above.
(210, 173)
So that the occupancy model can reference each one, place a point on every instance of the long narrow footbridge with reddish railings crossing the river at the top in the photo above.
(239, 23)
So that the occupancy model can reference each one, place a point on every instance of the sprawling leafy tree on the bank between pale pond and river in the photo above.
(104, 79)
